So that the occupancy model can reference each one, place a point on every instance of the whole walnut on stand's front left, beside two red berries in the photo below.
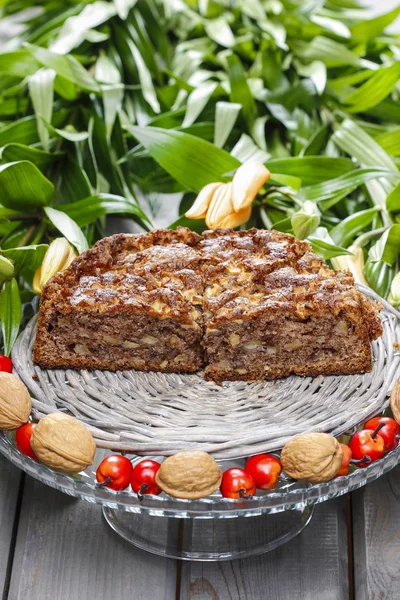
(63, 443)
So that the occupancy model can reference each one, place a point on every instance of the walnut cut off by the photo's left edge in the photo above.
(15, 402)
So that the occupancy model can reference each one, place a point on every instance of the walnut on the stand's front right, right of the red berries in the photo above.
(312, 457)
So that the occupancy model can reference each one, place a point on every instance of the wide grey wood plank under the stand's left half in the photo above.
(65, 551)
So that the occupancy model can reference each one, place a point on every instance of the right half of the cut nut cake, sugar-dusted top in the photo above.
(272, 308)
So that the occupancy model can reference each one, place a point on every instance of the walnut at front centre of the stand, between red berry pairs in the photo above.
(189, 475)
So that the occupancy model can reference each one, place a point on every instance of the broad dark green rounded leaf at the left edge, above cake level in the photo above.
(24, 187)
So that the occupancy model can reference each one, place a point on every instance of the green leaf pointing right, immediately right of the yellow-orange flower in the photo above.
(311, 169)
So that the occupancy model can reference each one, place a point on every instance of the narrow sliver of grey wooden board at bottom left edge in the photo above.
(10, 478)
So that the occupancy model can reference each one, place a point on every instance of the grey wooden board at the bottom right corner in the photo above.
(376, 539)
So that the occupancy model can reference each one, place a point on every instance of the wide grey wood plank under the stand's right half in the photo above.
(313, 565)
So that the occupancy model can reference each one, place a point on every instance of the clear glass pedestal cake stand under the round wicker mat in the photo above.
(210, 529)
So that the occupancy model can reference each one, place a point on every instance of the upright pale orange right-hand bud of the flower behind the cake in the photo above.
(247, 182)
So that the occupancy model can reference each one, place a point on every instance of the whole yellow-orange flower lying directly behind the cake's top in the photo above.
(228, 205)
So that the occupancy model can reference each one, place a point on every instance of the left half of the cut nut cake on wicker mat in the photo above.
(131, 302)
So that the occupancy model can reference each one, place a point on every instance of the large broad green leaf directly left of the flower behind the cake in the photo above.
(190, 160)
